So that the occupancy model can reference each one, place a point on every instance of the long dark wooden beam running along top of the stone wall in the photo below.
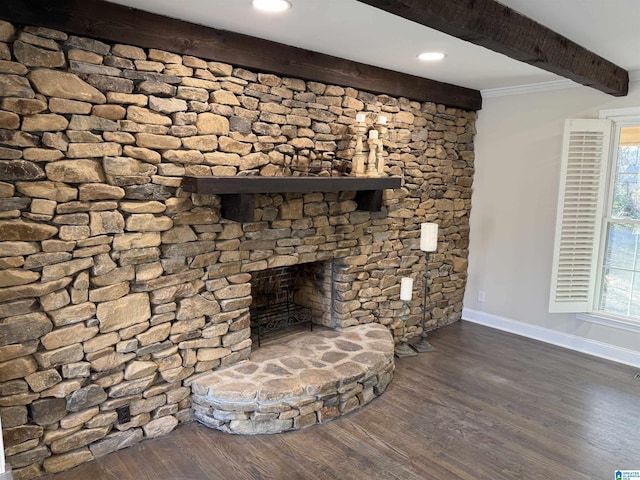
(120, 24)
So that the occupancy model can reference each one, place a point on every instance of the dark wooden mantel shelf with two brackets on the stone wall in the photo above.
(238, 193)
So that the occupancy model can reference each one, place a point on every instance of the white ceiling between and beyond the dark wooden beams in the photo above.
(355, 31)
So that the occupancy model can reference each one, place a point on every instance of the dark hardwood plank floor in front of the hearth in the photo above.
(486, 405)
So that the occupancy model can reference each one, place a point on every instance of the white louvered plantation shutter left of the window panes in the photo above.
(585, 156)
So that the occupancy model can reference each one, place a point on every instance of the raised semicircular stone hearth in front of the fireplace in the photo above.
(308, 378)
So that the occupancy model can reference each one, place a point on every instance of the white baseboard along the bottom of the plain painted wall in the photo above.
(566, 340)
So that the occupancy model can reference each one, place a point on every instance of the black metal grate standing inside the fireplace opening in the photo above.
(279, 315)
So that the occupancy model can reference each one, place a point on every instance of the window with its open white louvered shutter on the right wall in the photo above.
(596, 265)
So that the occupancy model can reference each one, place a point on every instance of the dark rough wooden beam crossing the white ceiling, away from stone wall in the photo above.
(492, 25)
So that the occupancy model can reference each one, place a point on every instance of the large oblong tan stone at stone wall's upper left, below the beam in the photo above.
(54, 83)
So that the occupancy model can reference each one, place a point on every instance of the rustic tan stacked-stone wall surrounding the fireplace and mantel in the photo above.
(119, 288)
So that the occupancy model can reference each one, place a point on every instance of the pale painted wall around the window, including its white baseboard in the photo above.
(518, 148)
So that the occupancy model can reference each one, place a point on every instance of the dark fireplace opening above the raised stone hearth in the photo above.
(290, 298)
